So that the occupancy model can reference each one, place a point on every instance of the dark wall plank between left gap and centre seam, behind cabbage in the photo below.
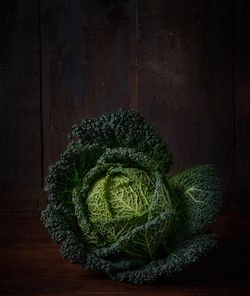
(87, 65)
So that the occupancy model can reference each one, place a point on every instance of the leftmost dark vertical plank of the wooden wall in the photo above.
(20, 144)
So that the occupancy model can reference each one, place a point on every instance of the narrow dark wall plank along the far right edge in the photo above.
(242, 104)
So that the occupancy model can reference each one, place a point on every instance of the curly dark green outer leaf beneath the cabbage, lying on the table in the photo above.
(187, 252)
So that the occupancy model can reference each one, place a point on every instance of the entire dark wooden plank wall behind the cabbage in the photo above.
(183, 64)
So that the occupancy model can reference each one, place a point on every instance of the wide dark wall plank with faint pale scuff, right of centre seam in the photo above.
(185, 71)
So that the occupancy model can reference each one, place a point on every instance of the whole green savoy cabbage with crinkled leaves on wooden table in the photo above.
(113, 208)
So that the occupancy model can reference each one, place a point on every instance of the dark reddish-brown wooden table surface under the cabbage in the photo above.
(32, 265)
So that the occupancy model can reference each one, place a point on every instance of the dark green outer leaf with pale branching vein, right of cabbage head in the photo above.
(197, 197)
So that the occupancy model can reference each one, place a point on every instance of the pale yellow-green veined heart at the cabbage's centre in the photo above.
(121, 193)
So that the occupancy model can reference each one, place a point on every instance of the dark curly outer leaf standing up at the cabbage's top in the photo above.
(125, 129)
